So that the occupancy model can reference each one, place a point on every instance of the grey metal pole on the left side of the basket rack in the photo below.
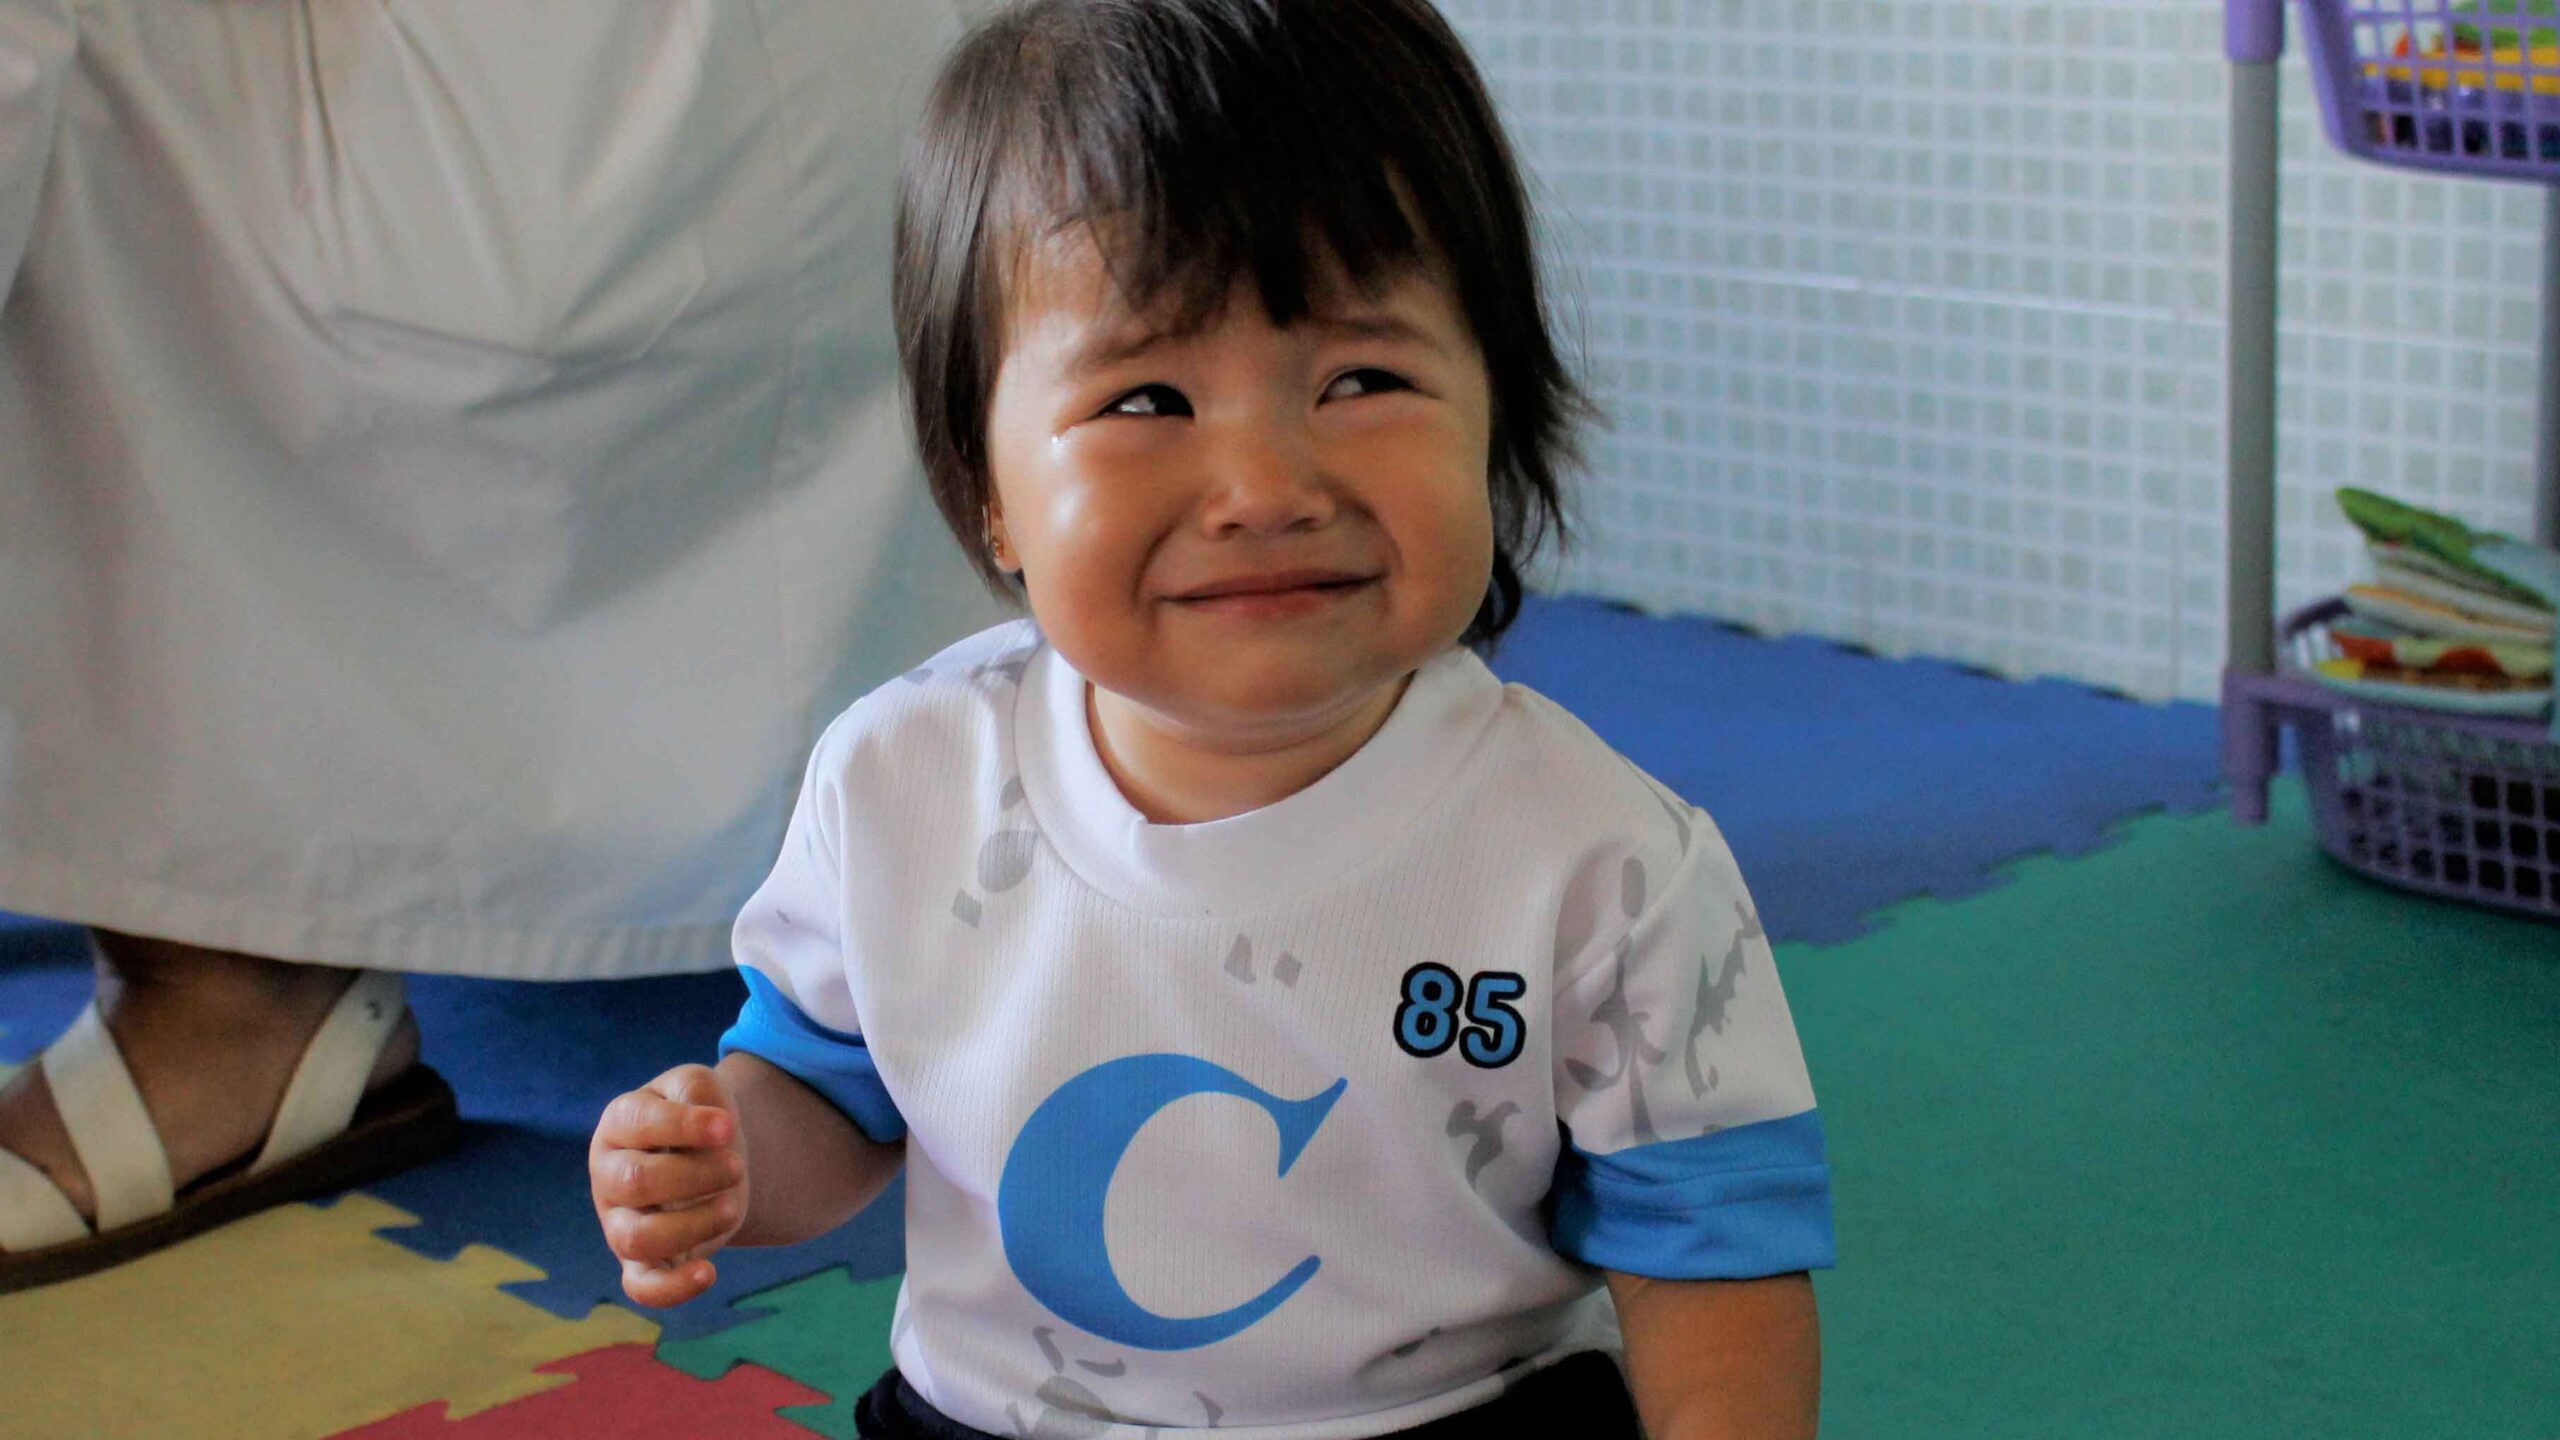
(2252, 419)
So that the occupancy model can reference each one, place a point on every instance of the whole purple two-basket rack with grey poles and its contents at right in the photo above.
(2418, 701)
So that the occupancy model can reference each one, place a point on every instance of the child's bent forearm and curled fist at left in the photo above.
(672, 1167)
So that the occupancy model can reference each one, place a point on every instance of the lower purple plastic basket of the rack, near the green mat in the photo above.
(2438, 803)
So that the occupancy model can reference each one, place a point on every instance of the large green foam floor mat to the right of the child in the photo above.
(2193, 1136)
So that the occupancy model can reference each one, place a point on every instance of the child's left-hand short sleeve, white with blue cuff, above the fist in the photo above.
(790, 947)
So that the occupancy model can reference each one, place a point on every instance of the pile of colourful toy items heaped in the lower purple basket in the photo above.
(2456, 619)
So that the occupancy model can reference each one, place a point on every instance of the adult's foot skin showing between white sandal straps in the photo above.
(211, 1039)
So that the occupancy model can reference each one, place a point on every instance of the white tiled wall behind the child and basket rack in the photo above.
(1911, 322)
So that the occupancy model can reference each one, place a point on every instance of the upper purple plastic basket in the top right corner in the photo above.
(2467, 88)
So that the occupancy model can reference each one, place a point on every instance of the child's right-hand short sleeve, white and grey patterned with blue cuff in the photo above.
(1693, 1141)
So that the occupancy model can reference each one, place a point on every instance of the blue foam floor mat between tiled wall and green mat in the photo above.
(1847, 783)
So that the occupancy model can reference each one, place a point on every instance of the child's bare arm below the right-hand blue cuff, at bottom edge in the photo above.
(1722, 1359)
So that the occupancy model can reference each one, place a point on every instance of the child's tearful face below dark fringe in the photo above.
(1251, 529)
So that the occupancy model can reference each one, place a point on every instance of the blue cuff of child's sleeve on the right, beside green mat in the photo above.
(1729, 1206)
